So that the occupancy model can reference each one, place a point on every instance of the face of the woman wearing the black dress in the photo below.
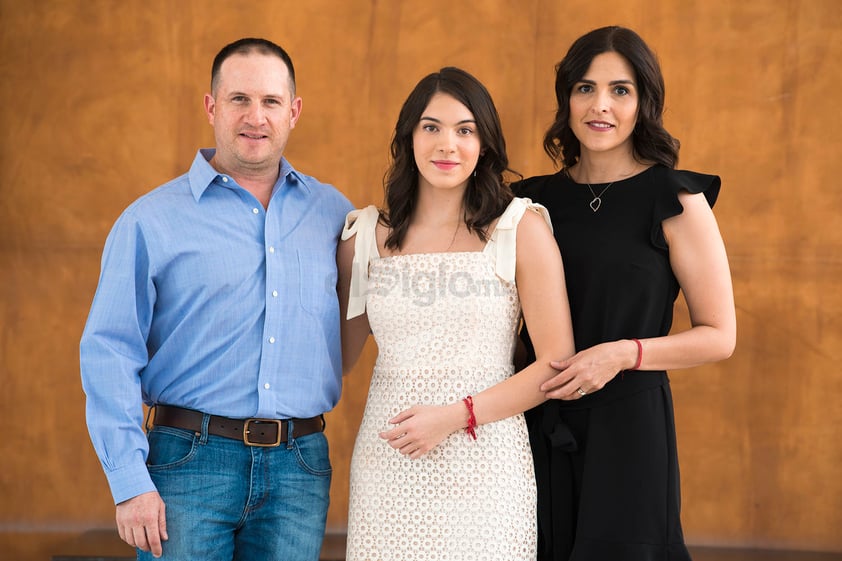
(603, 106)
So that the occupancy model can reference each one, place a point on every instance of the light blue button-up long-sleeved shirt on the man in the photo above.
(207, 300)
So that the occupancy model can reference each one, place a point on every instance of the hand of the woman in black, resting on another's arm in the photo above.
(589, 370)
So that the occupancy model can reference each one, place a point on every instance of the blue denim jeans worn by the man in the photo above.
(226, 501)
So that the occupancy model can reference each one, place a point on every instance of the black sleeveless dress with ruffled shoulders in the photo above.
(606, 464)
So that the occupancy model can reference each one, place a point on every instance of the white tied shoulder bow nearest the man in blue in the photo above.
(362, 224)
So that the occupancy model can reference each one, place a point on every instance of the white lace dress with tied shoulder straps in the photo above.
(445, 326)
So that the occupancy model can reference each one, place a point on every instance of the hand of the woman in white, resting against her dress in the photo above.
(421, 428)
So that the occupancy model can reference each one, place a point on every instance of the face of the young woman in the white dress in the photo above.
(446, 144)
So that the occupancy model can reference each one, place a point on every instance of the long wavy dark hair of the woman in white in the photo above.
(487, 195)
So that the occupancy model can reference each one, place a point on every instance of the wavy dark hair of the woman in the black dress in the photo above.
(650, 139)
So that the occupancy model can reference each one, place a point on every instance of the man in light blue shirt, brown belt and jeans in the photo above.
(217, 307)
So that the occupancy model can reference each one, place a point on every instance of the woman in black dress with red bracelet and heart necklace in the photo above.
(632, 231)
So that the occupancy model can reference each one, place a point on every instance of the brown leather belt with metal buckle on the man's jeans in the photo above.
(252, 432)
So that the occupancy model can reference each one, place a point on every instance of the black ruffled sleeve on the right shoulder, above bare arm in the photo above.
(672, 183)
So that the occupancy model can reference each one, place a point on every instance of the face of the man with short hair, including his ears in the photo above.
(252, 112)
